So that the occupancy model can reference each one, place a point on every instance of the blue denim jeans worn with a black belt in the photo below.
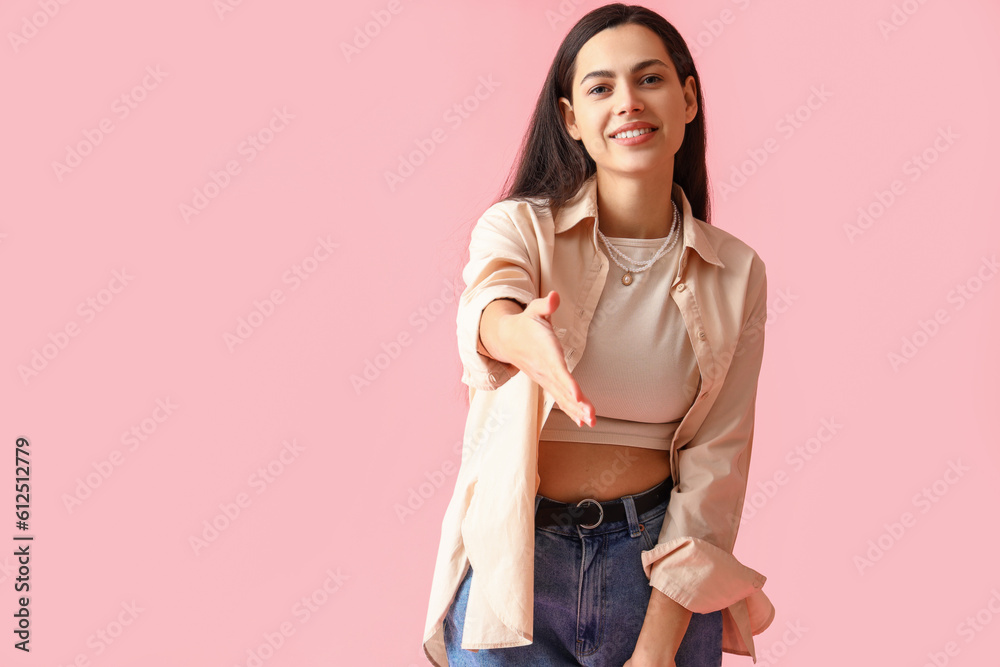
(591, 595)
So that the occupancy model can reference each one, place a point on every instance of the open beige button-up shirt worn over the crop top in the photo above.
(519, 250)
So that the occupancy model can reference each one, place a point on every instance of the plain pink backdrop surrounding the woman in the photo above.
(385, 294)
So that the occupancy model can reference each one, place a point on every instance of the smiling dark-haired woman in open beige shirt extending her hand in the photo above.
(612, 340)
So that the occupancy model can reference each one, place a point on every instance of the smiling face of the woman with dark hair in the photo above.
(608, 93)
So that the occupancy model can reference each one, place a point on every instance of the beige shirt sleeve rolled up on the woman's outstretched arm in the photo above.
(502, 264)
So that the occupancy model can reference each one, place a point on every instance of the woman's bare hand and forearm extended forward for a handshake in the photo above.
(530, 343)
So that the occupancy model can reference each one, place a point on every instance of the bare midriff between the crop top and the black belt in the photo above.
(572, 471)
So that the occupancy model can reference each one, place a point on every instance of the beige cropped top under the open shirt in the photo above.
(638, 367)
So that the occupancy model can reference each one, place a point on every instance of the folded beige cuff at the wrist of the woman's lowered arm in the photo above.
(698, 575)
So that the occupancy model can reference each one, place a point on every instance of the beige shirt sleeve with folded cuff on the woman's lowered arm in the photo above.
(692, 562)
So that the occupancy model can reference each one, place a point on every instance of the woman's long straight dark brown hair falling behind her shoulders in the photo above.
(551, 165)
